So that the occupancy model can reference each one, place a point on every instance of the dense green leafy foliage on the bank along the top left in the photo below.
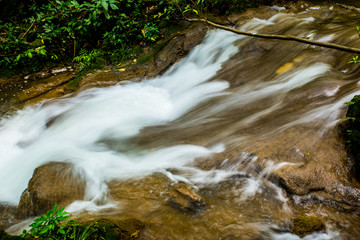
(49, 32)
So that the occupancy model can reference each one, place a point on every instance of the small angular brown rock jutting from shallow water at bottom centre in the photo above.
(185, 198)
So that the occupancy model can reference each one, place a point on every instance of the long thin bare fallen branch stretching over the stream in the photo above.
(279, 37)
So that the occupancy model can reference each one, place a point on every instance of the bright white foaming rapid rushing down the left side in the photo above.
(115, 113)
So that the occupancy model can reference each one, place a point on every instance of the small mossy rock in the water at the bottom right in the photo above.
(304, 225)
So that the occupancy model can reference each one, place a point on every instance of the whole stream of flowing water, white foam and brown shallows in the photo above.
(224, 120)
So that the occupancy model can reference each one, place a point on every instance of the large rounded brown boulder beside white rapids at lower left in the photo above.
(54, 182)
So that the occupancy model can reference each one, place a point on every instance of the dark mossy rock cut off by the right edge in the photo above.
(353, 132)
